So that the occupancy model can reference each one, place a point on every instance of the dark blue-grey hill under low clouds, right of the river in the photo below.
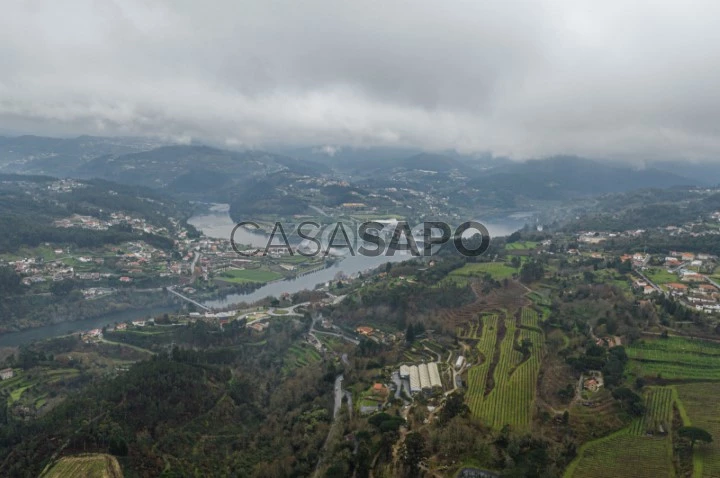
(566, 177)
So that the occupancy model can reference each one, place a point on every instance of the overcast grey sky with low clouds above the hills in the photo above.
(524, 79)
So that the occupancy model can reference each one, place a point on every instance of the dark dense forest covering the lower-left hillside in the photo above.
(218, 412)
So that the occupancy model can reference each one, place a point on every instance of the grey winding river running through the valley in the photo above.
(217, 224)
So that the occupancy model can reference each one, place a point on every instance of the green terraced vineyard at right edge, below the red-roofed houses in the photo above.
(676, 357)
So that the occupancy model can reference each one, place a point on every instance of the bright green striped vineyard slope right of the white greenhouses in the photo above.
(514, 381)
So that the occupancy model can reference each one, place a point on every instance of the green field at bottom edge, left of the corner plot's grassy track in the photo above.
(624, 454)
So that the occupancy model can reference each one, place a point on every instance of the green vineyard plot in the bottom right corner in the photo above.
(701, 408)
